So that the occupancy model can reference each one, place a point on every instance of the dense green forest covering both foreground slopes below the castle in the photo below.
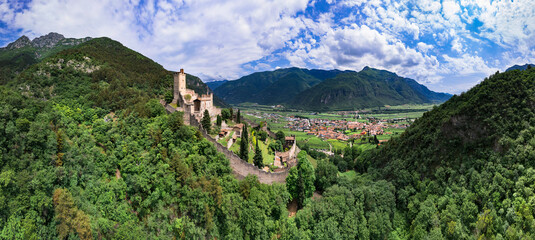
(87, 152)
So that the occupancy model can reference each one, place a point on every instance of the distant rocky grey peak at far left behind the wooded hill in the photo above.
(22, 53)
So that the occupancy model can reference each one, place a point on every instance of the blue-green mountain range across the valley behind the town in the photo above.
(326, 89)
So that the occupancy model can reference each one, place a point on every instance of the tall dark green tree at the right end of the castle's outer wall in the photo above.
(300, 180)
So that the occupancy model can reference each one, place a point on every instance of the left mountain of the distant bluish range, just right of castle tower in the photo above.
(271, 87)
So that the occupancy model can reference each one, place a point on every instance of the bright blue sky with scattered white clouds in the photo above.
(447, 45)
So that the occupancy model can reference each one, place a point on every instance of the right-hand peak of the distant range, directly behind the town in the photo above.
(367, 88)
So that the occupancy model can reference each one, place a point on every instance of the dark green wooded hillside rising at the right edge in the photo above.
(472, 155)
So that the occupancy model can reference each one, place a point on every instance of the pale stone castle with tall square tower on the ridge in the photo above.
(191, 103)
